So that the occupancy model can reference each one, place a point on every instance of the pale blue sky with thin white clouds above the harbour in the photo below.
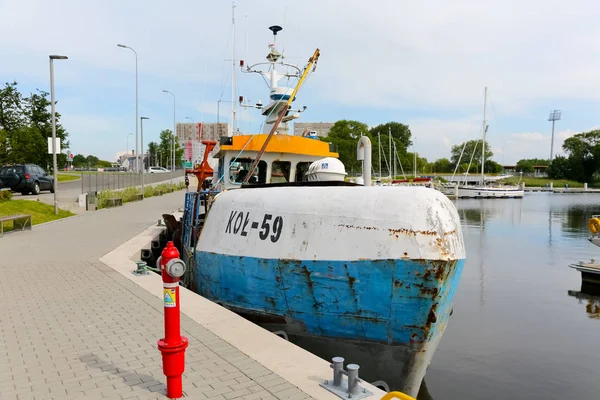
(422, 63)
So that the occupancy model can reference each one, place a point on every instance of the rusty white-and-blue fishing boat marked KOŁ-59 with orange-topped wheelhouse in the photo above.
(341, 269)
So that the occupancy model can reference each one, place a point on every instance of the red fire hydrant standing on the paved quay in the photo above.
(173, 345)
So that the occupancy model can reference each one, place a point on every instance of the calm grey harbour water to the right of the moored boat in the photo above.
(516, 332)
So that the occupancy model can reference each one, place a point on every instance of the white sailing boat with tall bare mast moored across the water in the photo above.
(486, 188)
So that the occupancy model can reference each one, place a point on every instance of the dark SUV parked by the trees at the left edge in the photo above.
(26, 178)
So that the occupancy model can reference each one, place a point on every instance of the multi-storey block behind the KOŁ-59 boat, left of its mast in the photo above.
(190, 137)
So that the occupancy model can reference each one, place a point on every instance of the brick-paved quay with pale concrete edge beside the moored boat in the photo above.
(77, 323)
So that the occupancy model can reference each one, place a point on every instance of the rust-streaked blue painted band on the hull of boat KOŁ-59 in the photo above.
(389, 301)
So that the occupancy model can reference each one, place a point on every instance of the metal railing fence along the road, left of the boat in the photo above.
(100, 181)
